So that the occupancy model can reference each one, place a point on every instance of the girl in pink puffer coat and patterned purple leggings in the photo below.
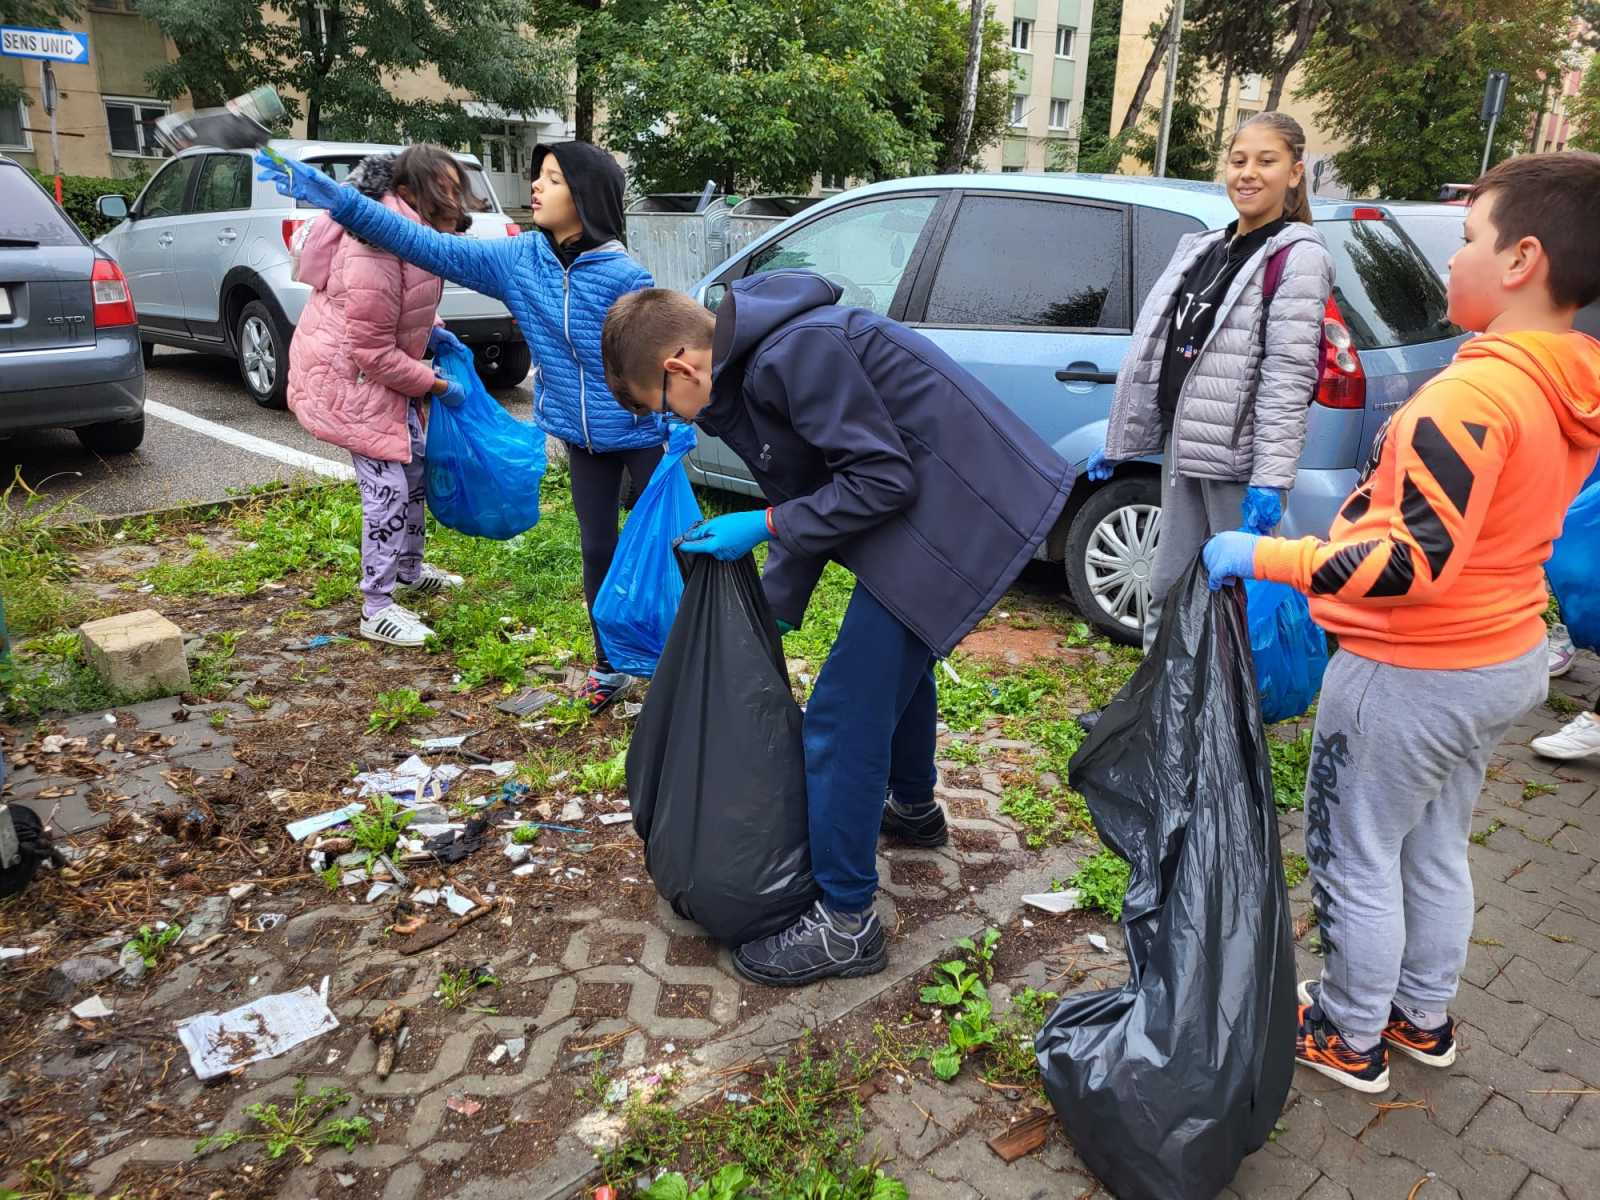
(358, 378)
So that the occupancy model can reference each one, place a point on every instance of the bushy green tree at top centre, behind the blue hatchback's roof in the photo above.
(764, 97)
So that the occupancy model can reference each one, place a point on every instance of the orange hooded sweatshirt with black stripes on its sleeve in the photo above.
(1436, 561)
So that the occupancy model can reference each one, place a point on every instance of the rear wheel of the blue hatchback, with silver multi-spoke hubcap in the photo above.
(1111, 554)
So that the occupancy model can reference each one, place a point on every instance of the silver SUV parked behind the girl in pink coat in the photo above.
(207, 254)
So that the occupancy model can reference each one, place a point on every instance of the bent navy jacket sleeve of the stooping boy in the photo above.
(815, 380)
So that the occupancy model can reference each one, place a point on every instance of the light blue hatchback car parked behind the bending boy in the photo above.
(1033, 282)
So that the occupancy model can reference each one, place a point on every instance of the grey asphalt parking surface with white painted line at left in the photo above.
(204, 441)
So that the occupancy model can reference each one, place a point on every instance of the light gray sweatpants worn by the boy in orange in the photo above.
(1398, 764)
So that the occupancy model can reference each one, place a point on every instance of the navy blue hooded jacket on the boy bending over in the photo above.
(874, 449)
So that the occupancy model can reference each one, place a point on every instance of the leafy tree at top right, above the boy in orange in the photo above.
(1412, 121)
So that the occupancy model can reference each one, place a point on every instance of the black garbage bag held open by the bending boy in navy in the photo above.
(716, 772)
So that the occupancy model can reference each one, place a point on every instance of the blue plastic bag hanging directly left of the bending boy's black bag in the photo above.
(639, 599)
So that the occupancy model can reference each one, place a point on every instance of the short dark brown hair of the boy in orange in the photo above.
(1556, 199)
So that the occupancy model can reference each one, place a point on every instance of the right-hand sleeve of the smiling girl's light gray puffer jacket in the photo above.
(1290, 362)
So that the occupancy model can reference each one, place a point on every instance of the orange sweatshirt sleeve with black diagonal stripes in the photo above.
(1444, 458)
